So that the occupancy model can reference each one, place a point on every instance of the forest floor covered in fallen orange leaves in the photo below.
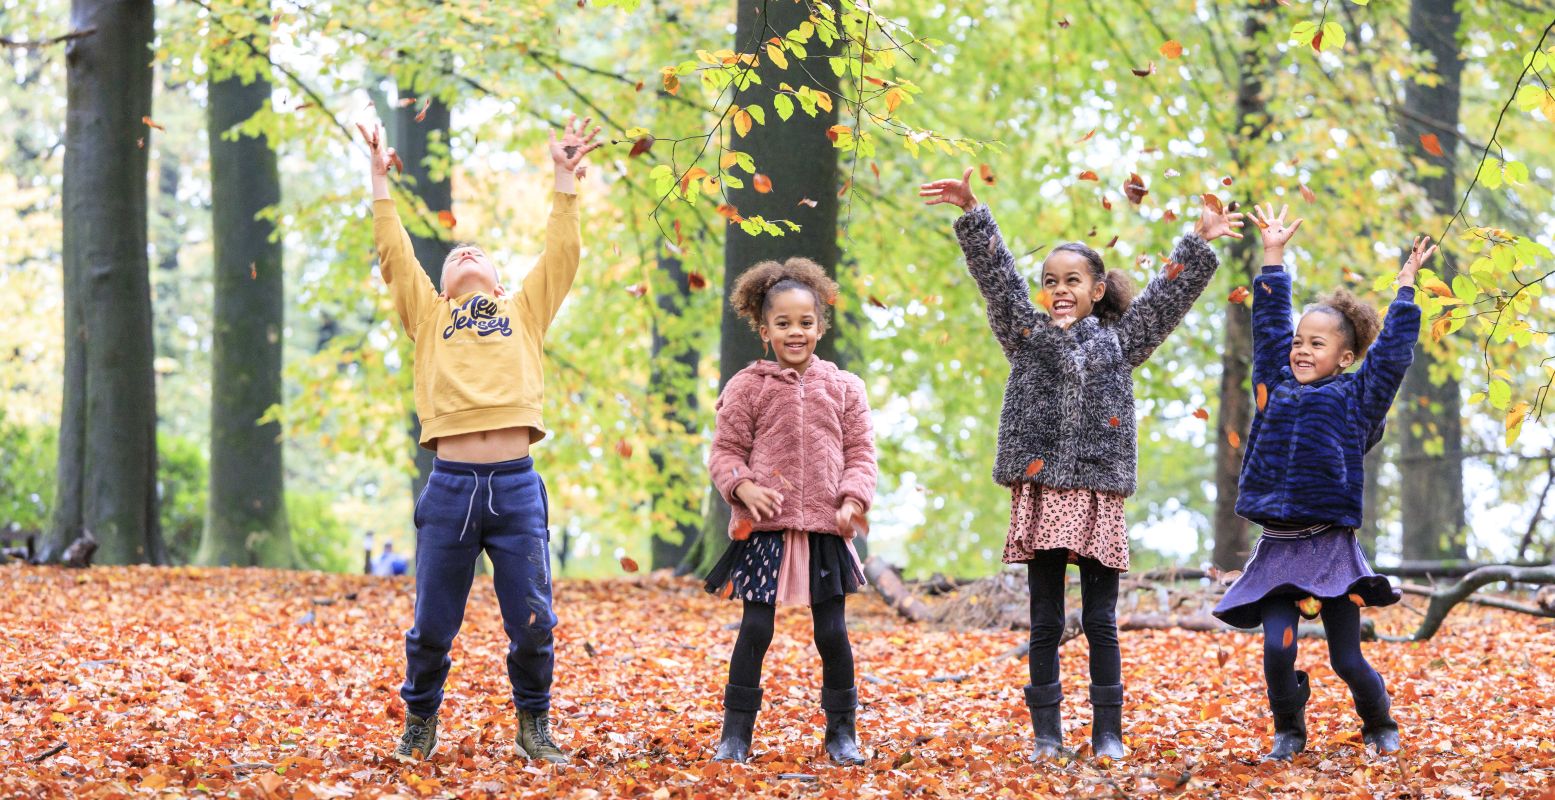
(271, 684)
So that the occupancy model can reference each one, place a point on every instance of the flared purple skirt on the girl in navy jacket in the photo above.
(1329, 567)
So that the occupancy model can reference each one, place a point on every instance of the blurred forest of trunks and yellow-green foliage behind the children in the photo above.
(198, 360)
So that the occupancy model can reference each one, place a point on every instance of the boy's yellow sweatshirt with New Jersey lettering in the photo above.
(478, 359)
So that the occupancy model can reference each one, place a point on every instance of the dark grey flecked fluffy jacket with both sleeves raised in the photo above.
(1071, 393)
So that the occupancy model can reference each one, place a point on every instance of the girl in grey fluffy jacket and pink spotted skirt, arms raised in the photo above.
(1066, 437)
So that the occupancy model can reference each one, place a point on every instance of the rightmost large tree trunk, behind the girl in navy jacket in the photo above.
(1433, 485)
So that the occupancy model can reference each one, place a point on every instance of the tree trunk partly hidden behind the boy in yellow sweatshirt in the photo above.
(414, 141)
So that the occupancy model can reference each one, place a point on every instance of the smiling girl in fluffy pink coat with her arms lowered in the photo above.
(794, 457)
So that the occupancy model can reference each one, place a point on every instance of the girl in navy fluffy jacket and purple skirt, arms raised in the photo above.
(1302, 482)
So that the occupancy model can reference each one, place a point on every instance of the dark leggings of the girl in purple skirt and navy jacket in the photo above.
(1343, 628)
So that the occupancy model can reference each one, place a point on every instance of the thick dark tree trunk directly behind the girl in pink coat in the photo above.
(802, 163)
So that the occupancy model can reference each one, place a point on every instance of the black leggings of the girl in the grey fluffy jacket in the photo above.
(1099, 591)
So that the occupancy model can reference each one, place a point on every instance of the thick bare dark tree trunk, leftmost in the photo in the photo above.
(108, 427)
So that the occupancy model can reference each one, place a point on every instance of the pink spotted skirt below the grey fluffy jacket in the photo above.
(1086, 524)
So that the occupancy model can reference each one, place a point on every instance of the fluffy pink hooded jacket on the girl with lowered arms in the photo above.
(805, 435)
